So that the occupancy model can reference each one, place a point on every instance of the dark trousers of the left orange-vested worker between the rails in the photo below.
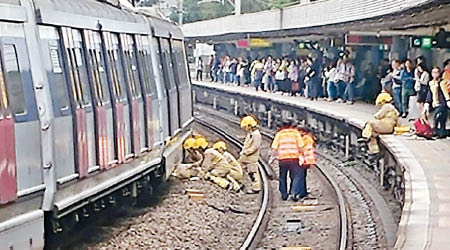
(297, 175)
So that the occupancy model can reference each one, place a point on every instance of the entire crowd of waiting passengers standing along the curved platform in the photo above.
(411, 84)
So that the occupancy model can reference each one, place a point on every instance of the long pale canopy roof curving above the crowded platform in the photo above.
(328, 18)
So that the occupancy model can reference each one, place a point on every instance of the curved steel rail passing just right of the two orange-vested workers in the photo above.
(343, 216)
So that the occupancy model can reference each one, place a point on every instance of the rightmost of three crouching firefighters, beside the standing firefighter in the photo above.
(235, 174)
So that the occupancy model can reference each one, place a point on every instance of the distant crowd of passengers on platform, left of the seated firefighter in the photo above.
(293, 76)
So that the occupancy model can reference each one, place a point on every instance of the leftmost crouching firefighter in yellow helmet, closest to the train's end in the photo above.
(192, 160)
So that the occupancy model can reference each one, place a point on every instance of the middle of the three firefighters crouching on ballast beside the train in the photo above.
(215, 168)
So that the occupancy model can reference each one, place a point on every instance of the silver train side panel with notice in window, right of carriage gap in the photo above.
(63, 123)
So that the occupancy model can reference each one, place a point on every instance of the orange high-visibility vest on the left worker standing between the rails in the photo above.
(288, 143)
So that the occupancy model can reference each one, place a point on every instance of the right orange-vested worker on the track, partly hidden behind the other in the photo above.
(307, 159)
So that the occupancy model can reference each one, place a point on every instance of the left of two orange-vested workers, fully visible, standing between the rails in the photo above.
(288, 146)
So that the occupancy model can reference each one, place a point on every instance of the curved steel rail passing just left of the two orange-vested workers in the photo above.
(258, 227)
